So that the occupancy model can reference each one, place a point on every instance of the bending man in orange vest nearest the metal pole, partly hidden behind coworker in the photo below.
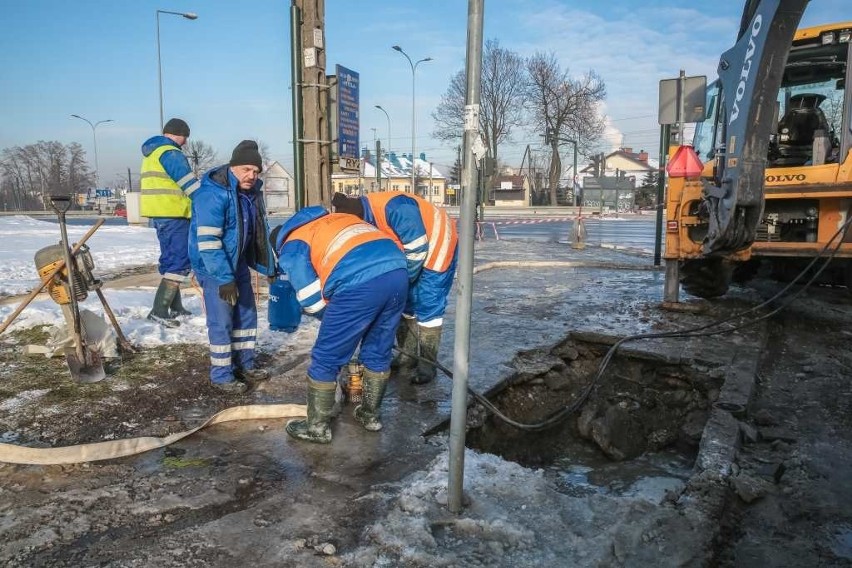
(428, 238)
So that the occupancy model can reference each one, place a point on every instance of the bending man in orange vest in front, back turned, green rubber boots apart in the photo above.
(352, 276)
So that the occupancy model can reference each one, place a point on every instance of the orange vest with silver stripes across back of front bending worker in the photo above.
(331, 237)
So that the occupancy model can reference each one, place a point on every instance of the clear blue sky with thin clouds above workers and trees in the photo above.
(228, 72)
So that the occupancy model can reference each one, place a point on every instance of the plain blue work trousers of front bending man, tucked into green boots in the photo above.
(368, 313)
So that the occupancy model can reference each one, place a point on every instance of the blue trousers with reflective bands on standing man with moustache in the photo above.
(231, 330)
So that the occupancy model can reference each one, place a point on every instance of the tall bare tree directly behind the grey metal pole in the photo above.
(501, 100)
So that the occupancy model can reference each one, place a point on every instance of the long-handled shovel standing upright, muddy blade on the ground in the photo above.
(84, 364)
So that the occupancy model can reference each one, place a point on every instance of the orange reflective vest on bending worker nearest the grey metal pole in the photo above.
(440, 229)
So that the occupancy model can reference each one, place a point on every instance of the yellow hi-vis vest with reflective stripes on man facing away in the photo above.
(161, 195)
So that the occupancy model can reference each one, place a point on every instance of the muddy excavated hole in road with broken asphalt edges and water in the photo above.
(637, 434)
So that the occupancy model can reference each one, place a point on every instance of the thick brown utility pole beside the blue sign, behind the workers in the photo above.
(313, 140)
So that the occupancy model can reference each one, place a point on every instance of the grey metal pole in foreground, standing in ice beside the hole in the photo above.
(464, 301)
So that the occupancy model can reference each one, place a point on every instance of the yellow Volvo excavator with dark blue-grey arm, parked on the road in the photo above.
(776, 148)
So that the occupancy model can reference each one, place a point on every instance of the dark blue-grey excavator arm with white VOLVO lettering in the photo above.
(750, 74)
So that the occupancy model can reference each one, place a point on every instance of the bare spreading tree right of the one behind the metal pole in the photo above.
(563, 108)
